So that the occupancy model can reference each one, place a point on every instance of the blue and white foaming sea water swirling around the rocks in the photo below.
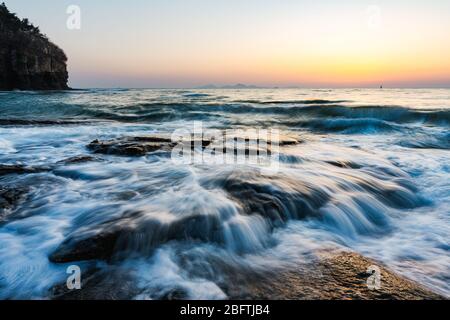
(372, 175)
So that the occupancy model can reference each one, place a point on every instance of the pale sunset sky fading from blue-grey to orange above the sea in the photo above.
(185, 43)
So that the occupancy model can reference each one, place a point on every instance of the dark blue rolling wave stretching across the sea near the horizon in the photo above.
(284, 112)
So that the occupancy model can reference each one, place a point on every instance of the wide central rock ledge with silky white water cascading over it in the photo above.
(238, 210)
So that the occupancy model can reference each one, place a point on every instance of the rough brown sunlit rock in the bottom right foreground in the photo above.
(341, 276)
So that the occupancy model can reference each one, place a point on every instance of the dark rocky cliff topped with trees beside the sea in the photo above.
(28, 60)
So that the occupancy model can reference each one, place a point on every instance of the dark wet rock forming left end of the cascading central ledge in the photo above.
(135, 234)
